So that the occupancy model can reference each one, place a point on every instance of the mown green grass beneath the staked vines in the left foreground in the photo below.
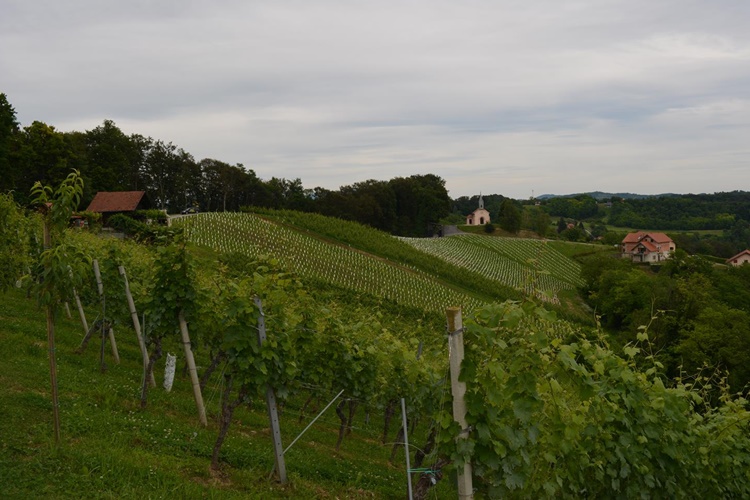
(112, 449)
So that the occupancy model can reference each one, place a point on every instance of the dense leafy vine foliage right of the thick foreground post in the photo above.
(557, 418)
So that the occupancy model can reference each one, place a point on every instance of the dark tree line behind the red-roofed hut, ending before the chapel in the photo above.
(110, 160)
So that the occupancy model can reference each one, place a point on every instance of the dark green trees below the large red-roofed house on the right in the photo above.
(698, 314)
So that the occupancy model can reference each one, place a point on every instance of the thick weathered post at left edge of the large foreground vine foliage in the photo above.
(458, 390)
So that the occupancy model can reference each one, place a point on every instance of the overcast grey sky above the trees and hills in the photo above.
(519, 98)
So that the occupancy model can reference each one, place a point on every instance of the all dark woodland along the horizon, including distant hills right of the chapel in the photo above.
(110, 160)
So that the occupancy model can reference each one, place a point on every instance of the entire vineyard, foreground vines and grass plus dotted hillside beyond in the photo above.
(549, 409)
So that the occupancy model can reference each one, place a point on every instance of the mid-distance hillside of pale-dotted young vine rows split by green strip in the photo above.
(428, 274)
